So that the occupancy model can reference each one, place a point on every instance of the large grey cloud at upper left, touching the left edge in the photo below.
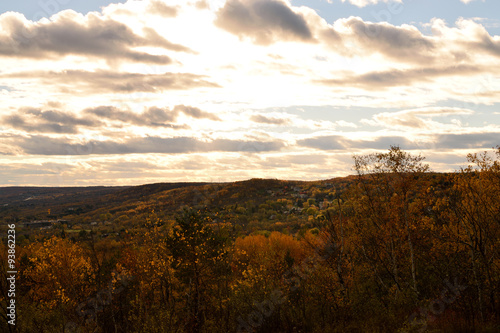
(70, 33)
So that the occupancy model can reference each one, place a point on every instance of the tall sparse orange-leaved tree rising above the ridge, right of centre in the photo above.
(388, 187)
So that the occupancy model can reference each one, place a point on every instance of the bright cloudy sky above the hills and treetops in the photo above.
(135, 92)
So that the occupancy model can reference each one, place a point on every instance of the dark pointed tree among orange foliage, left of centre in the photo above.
(153, 297)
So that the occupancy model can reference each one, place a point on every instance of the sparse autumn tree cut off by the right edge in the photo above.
(475, 204)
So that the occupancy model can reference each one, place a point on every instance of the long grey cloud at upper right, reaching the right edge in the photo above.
(460, 45)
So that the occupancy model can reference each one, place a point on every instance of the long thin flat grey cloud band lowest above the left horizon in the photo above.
(43, 145)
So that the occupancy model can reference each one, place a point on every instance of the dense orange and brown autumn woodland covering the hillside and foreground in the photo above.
(394, 248)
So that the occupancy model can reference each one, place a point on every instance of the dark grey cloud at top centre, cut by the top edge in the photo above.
(263, 21)
